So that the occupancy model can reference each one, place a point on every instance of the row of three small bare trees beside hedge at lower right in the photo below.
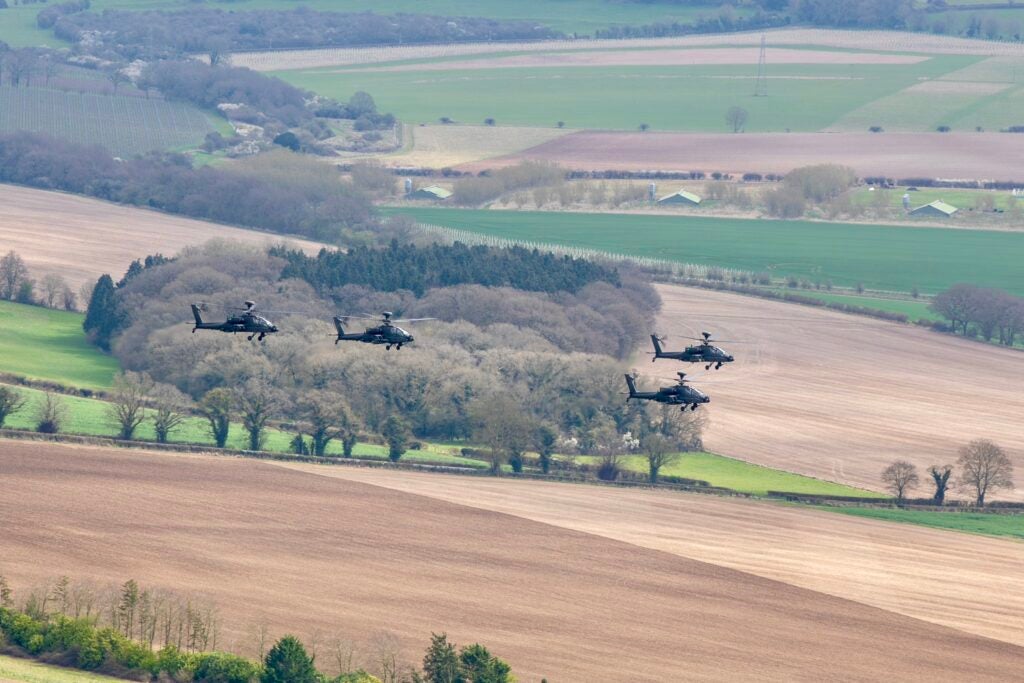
(985, 469)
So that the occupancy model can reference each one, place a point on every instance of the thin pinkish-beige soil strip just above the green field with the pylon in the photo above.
(666, 58)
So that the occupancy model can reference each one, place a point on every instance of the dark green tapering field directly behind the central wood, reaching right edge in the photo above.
(885, 259)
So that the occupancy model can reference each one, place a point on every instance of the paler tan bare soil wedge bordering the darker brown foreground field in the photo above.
(891, 567)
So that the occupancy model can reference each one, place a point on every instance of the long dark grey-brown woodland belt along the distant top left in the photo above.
(161, 35)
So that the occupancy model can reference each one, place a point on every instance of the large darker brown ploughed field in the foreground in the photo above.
(309, 553)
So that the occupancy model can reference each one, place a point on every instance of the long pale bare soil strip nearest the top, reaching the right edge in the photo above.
(894, 41)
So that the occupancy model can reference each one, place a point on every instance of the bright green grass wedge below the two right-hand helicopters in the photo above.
(741, 477)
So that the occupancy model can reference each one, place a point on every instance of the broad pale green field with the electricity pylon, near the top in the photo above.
(685, 99)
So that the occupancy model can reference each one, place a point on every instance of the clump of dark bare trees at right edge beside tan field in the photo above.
(984, 313)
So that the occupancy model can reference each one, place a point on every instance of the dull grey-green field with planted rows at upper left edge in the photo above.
(125, 125)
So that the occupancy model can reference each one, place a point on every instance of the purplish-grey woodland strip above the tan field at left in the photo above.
(273, 193)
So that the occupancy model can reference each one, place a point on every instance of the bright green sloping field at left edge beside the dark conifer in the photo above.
(45, 345)
